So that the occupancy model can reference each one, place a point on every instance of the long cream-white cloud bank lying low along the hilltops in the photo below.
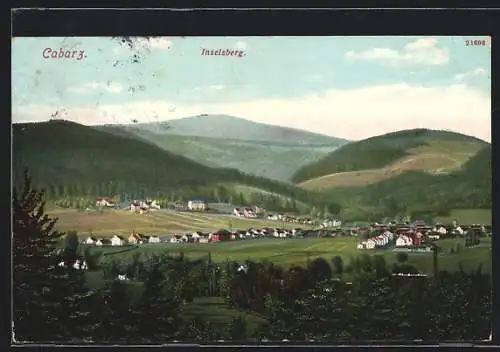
(352, 114)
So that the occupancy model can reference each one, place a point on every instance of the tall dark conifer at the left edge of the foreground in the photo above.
(48, 299)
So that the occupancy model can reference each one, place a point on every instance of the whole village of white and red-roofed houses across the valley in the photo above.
(386, 235)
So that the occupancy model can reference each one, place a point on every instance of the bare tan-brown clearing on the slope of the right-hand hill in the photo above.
(436, 157)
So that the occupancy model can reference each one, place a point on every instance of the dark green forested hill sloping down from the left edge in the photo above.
(70, 158)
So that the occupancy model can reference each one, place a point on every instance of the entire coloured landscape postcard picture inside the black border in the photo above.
(251, 189)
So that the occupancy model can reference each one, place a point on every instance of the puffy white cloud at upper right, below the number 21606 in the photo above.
(423, 51)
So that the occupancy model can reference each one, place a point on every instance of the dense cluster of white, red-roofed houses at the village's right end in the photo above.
(414, 234)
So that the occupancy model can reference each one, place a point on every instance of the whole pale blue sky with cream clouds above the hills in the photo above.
(346, 87)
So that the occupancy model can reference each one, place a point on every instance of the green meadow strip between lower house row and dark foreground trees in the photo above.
(290, 252)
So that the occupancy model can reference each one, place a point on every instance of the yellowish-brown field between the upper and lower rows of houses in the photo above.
(112, 222)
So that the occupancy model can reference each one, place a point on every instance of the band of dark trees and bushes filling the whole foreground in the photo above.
(316, 302)
